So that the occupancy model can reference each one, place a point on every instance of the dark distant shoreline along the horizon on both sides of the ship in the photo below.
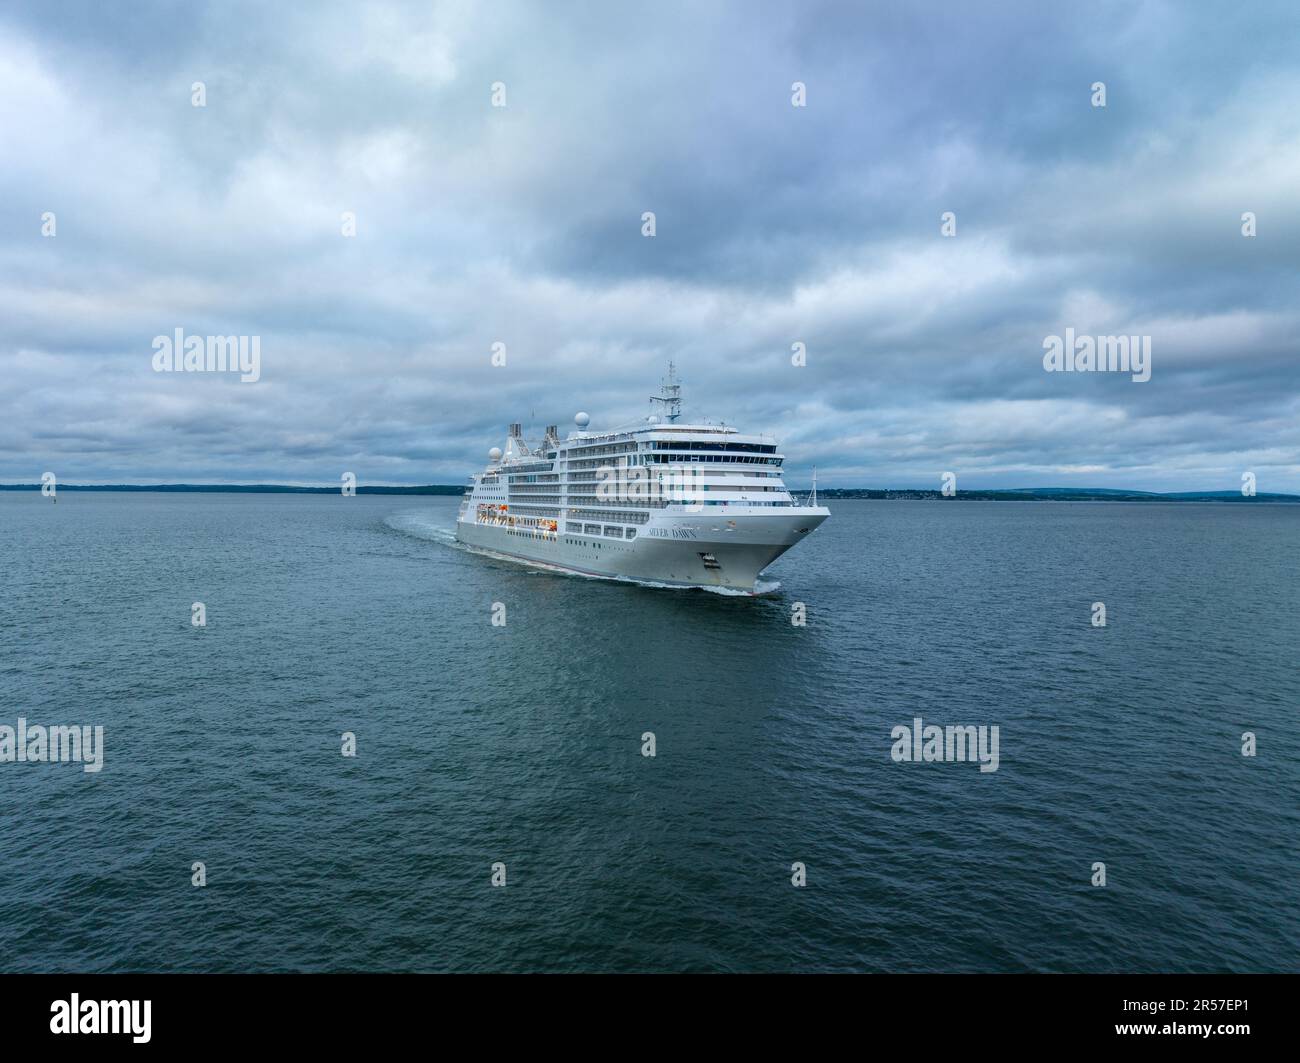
(830, 494)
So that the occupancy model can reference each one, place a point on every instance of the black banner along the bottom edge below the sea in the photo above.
(978, 1013)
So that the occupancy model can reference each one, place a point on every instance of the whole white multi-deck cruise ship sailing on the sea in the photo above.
(683, 505)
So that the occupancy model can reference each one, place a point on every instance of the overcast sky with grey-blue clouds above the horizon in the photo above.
(775, 224)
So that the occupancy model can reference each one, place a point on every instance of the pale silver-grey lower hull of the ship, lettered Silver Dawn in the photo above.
(738, 546)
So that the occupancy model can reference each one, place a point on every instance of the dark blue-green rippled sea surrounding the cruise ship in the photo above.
(522, 744)
